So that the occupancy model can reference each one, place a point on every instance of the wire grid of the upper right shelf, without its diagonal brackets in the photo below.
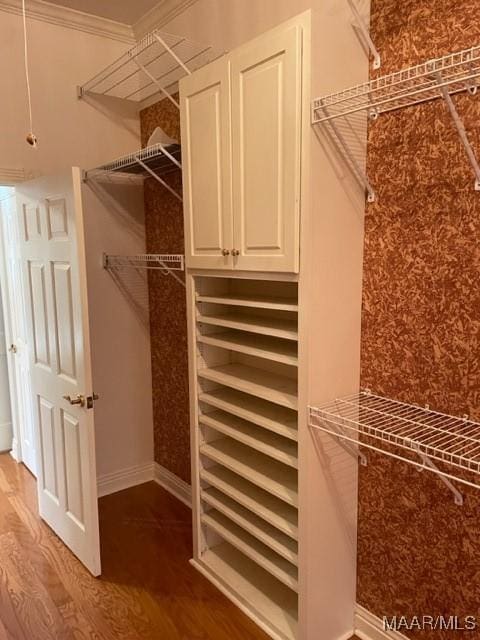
(457, 72)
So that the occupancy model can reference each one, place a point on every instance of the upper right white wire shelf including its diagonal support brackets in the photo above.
(437, 78)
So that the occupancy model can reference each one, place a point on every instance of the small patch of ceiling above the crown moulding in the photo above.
(126, 11)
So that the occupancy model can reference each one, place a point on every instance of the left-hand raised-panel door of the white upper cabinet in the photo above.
(206, 162)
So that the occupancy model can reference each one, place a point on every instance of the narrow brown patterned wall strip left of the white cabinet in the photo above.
(164, 229)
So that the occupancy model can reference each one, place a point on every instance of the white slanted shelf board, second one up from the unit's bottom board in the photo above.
(257, 527)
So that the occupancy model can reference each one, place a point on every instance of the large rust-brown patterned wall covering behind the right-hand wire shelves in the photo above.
(419, 553)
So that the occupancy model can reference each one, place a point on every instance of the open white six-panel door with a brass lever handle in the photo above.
(53, 256)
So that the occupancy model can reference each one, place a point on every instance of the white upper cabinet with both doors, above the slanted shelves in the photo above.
(241, 130)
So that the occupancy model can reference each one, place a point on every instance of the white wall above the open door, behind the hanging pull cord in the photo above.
(70, 131)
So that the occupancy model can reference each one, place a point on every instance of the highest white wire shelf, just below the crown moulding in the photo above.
(153, 65)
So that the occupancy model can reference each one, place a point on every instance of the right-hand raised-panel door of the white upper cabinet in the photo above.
(266, 138)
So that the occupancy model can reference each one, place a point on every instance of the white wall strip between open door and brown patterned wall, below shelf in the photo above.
(119, 334)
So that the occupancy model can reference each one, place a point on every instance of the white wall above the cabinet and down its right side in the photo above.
(330, 290)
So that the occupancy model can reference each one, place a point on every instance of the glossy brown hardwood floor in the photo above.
(148, 590)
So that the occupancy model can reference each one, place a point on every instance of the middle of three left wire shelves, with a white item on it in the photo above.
(152, 162)
